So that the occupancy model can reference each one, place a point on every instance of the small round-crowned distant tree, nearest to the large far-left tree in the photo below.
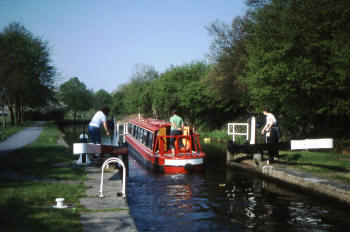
(75, 95)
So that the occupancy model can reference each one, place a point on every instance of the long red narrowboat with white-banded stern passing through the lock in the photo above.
(148, 140)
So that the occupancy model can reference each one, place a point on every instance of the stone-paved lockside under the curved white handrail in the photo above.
(107, 214)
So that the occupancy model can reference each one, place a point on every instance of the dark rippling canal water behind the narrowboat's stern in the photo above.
(225, 200)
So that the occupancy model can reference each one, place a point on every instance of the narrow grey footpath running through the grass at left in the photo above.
(21, 139)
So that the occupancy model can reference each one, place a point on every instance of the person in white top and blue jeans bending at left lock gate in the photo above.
(99, 118)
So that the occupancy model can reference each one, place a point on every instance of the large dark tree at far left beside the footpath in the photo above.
(24, 65)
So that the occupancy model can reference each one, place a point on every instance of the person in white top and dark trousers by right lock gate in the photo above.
(272, 132)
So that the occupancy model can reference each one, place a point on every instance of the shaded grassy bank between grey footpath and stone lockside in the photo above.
(41, 170)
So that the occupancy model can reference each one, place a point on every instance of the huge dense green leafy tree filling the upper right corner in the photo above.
(297, 62)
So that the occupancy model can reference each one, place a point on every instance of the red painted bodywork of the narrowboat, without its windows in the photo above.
(192, 160)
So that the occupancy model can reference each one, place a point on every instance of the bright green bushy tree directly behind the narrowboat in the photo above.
(184, 88)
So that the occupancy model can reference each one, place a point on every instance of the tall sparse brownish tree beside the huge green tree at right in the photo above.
(226, 54)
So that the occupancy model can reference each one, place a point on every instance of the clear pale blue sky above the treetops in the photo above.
(102, 41)
